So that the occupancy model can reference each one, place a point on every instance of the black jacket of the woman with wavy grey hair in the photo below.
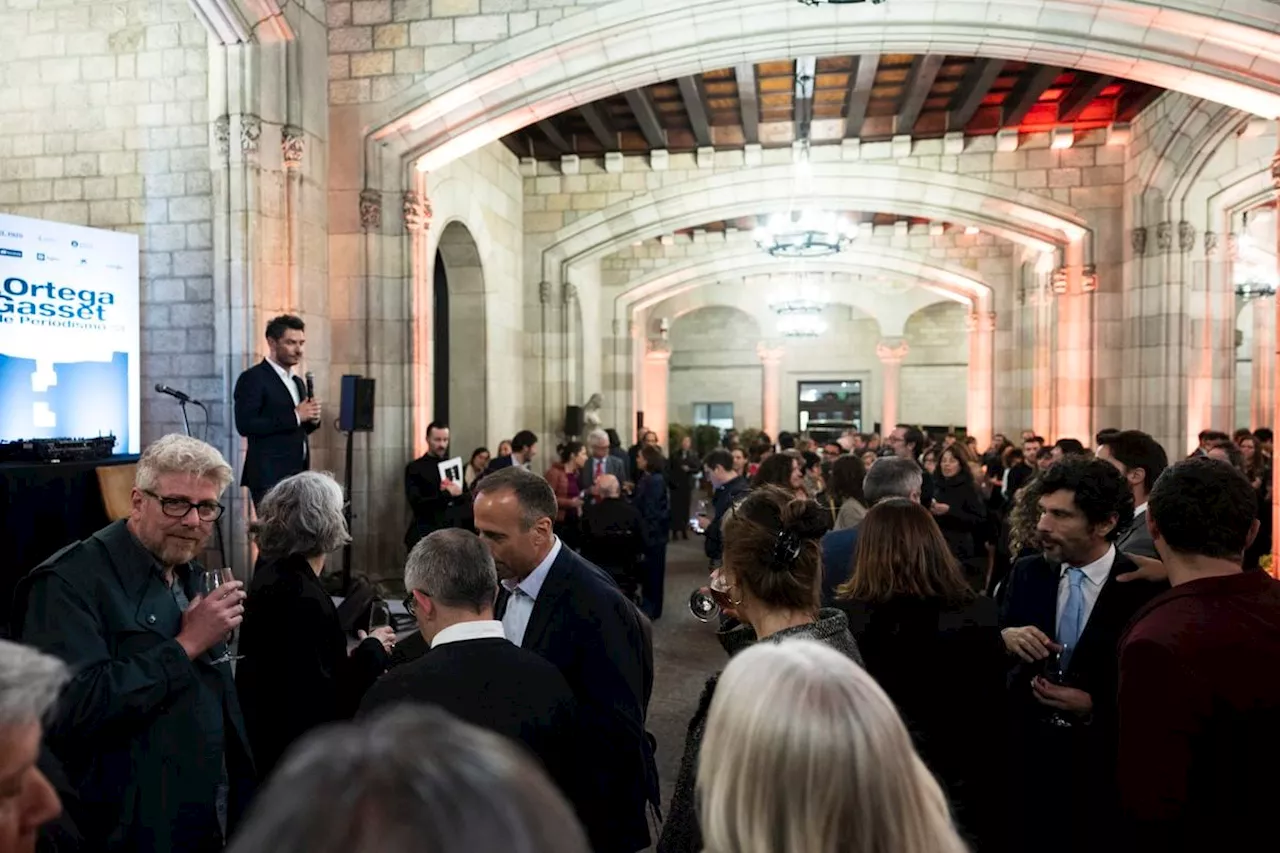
(296, 674)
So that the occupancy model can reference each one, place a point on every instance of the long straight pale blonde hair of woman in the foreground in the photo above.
(804, 754)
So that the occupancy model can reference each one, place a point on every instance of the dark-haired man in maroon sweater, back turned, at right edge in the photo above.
(1200, 694)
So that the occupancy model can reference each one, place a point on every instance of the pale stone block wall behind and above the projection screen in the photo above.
(106, 124)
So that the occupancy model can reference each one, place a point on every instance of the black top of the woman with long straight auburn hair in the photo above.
(921, 651)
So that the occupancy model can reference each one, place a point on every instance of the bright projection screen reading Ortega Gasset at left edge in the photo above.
(70, 353)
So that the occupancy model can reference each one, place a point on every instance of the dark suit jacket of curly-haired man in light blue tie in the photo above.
(1081, 759)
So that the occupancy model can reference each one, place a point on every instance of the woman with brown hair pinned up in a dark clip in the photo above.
(774, 574)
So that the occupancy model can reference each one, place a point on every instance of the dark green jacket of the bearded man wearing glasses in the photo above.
(141, 729)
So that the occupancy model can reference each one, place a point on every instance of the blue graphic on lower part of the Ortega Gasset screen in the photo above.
(88, 399)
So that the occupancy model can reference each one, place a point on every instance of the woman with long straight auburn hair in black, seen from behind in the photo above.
(926, 637)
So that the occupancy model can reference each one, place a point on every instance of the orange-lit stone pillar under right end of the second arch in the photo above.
(1073, 368)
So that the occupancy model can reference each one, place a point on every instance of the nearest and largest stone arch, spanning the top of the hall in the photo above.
(1226, 53)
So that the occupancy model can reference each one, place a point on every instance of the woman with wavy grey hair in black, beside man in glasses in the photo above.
(296, 673)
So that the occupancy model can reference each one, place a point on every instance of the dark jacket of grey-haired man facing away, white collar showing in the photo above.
(497, 686)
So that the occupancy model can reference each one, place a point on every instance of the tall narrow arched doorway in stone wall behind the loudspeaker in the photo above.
(459, 349)
